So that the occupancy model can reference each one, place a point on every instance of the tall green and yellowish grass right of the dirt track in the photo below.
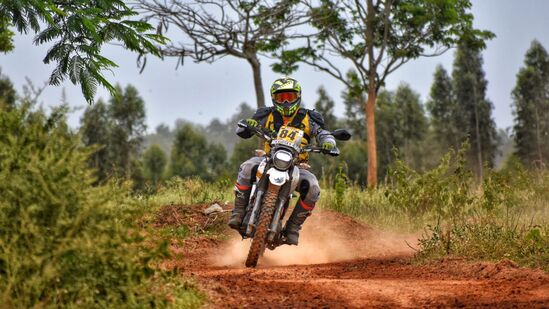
(505, 216)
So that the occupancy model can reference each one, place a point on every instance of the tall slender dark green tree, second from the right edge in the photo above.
(474, 113)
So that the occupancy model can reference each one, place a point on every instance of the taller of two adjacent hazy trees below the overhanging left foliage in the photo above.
(127, 111)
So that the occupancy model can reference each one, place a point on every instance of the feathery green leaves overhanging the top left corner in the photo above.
(79, 29)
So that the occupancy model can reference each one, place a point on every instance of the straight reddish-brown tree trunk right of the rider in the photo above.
(371, 135)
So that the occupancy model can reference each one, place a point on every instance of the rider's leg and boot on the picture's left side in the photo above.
(242, 190)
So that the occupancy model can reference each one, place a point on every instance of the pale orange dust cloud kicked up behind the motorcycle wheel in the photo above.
(327, 237)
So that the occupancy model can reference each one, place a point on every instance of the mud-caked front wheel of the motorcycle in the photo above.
(262, 227)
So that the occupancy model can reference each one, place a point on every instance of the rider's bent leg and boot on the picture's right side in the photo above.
(309, 193)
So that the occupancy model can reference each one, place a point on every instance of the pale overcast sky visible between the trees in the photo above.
(201, 92)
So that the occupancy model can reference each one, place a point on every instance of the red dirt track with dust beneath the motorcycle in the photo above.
(341, 263)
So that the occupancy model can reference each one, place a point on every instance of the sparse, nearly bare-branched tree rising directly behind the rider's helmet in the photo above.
(241, 29)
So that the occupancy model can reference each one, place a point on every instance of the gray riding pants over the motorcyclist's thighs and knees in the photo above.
(308, 186)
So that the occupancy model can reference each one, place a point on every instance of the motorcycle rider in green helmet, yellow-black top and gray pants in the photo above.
(286, 98)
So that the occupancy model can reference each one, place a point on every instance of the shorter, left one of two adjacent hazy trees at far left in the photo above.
(96, 130)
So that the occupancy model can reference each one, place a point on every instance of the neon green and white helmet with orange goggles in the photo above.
(286, 95)
